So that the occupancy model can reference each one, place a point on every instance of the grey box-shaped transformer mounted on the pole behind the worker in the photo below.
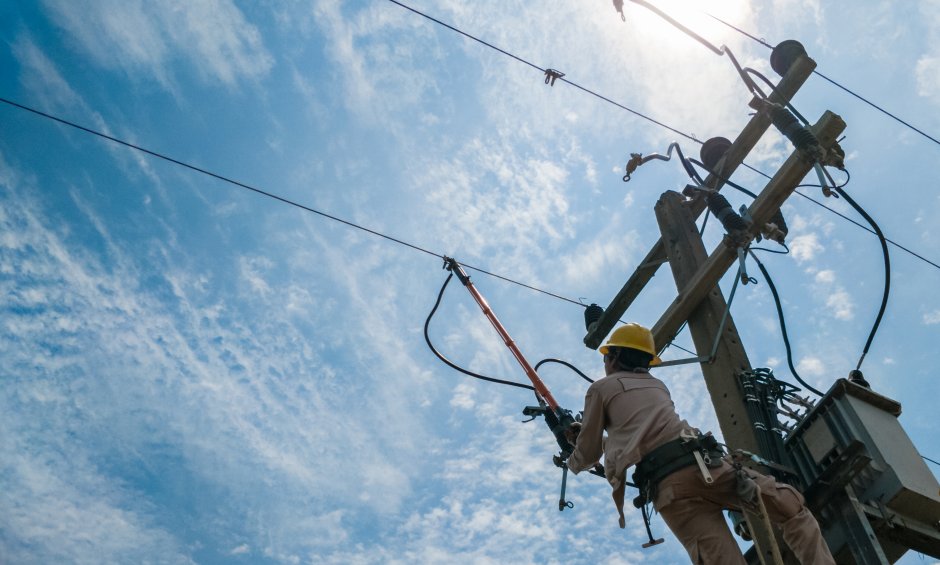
(872, 492)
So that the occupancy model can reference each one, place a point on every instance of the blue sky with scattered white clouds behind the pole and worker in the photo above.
(196, 373)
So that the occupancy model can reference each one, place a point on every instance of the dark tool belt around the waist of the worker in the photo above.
(669, 458)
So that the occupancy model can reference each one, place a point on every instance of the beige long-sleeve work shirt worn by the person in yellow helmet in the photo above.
(637, 412)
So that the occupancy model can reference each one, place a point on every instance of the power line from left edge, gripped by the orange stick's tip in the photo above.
(271, 195)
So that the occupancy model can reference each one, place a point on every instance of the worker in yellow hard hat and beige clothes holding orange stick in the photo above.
(643, 429)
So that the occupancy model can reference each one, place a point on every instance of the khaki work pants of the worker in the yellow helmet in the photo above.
(693, 511)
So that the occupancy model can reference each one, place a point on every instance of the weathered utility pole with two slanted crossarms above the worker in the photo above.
(700, 301)
